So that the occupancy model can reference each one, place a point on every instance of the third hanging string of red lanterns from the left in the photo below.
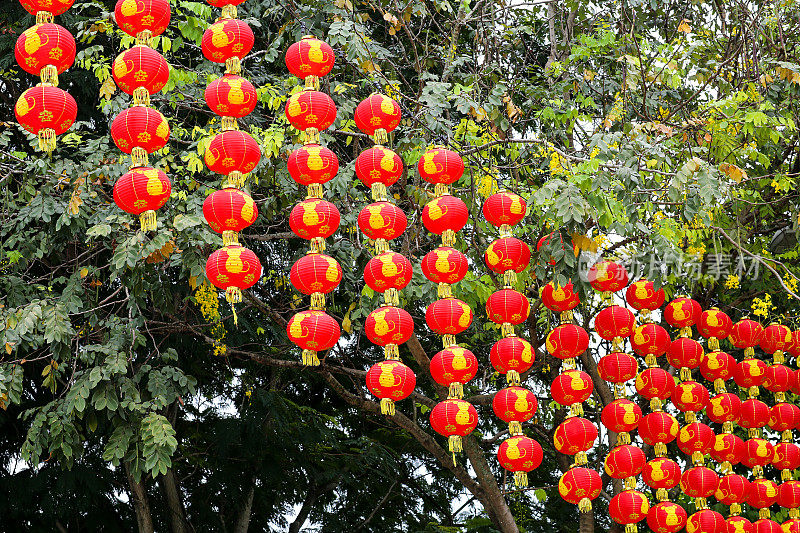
(232, 153)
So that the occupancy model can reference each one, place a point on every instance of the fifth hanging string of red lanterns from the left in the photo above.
(387, 272)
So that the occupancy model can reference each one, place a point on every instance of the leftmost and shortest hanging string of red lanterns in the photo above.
(46, 50)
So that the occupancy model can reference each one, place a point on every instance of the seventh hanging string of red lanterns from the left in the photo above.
(511, 355)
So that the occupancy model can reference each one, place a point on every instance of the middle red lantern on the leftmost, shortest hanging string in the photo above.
(45, 44)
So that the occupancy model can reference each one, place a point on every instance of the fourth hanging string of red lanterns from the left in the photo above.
(314, 219)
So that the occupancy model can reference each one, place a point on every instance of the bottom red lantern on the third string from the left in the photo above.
(233, 268)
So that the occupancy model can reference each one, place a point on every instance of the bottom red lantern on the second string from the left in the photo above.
(142, 191)
